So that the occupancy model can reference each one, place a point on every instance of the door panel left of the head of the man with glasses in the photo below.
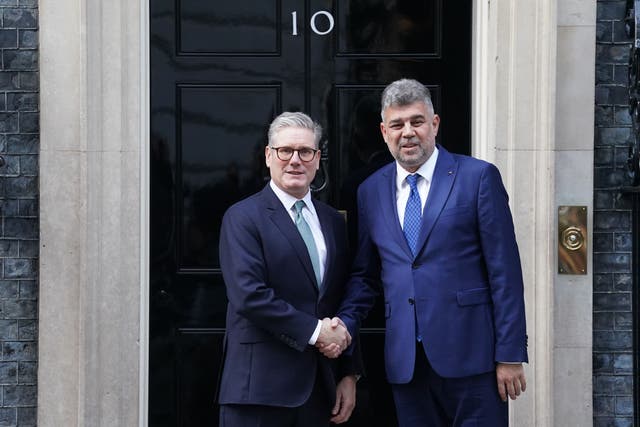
(220, 160)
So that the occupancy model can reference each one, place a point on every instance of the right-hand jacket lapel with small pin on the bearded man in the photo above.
(443, 178)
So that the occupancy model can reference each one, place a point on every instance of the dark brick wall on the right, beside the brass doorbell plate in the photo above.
(612, 317)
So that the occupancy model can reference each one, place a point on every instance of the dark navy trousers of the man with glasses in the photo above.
(315, 412)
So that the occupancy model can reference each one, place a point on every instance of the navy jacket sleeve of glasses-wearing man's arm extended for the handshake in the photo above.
(243, 268)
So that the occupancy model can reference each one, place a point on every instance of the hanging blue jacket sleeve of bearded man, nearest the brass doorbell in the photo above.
(502, 261)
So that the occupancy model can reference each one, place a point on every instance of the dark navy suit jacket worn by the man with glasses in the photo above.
(275, 304)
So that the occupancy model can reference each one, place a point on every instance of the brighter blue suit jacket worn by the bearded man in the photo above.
(465, 284)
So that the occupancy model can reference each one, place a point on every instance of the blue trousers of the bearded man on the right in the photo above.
(430, 400)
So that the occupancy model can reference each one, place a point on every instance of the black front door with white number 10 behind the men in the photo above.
(220, 72)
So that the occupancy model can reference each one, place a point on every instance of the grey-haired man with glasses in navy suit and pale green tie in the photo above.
(284, 260)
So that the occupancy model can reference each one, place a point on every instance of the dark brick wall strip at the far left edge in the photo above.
(19, 141)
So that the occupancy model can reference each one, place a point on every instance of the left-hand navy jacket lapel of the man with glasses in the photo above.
(280, 217)
